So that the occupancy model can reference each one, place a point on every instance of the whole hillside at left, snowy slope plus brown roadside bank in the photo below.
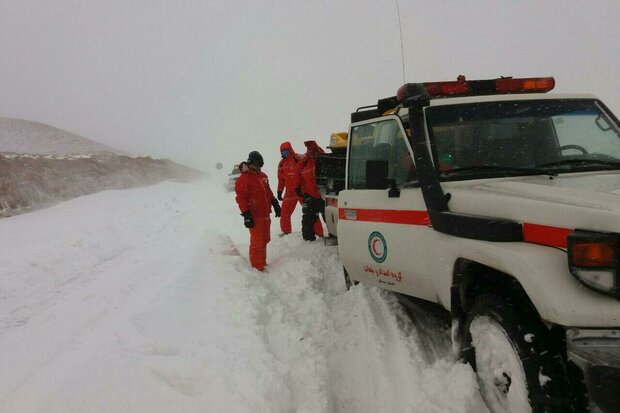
(41, 165)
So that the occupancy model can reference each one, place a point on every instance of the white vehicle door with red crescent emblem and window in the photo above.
(381, 230)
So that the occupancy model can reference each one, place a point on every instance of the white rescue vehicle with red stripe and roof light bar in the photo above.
(500, 203)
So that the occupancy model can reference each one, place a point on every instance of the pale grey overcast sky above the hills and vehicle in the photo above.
(201, 81)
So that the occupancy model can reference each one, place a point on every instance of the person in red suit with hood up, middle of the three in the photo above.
(287, 180)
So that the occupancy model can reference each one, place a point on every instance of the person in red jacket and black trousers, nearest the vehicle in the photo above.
(306, 187)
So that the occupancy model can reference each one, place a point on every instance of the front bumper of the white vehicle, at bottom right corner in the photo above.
(597, 353)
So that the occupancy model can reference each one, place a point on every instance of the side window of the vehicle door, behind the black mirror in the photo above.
(382, 140)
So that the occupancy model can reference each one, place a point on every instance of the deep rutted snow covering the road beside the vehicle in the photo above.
(143, 300)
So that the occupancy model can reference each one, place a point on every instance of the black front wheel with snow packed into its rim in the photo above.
(519, 366)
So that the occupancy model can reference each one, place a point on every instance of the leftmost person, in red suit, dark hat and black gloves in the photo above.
(255, 200)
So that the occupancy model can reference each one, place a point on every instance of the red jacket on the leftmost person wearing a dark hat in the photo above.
(253, 192)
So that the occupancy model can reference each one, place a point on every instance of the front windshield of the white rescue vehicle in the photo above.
(522, 137)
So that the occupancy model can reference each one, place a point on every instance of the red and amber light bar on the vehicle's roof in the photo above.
(463, 87)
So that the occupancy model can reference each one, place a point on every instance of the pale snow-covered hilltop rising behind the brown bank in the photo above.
(22, 136)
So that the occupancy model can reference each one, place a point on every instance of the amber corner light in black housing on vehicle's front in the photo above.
(593, 258)
